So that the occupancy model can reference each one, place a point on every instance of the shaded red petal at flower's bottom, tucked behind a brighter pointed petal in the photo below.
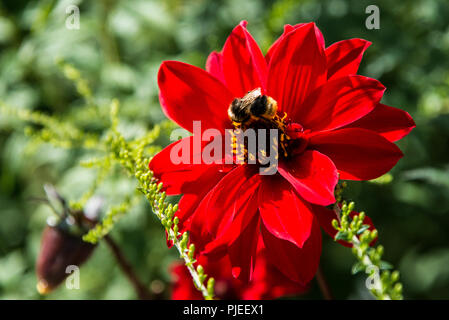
(298, 264)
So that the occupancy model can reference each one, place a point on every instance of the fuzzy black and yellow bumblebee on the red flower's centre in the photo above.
(252, 107)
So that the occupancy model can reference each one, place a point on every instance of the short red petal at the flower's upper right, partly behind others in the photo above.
(343, 58)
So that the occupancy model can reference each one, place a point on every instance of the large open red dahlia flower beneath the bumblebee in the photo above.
(334, 124)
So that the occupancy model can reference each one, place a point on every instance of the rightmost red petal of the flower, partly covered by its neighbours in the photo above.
(391, 123)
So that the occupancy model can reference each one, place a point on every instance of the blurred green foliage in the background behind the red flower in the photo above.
(118, 49)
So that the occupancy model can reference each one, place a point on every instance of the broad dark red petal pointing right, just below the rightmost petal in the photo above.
(358, 154)
